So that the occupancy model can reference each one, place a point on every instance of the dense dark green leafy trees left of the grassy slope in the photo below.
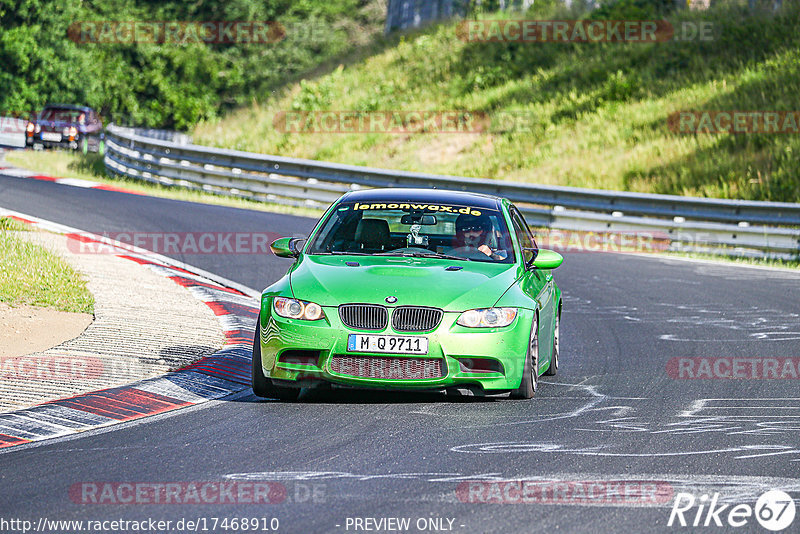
(167, 85)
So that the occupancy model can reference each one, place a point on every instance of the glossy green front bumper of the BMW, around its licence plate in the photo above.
(502, 352)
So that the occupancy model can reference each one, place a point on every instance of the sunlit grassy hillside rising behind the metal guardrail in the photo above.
(599, 111)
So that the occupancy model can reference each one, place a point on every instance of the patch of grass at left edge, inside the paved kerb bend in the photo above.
(30, 274)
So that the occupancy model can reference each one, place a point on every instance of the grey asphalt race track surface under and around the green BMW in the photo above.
(613, 413)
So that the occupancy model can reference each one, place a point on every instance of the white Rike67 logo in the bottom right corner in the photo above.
(774, 510)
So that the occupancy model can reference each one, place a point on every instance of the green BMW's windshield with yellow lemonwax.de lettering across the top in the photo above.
(451, 231)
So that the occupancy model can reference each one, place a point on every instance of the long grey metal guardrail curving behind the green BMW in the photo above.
(687, 222)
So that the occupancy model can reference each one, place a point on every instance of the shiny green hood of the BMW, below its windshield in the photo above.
(328, 281)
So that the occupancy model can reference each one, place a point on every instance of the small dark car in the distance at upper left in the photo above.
(66, 126)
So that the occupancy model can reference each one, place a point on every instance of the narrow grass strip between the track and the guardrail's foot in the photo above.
(66, 164)
